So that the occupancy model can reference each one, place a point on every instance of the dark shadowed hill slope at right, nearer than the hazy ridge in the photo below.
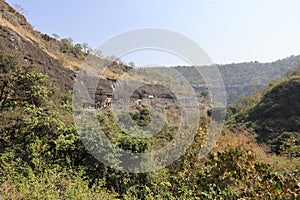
(273, 114)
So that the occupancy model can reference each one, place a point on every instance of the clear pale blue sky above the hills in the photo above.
(228, 30)
